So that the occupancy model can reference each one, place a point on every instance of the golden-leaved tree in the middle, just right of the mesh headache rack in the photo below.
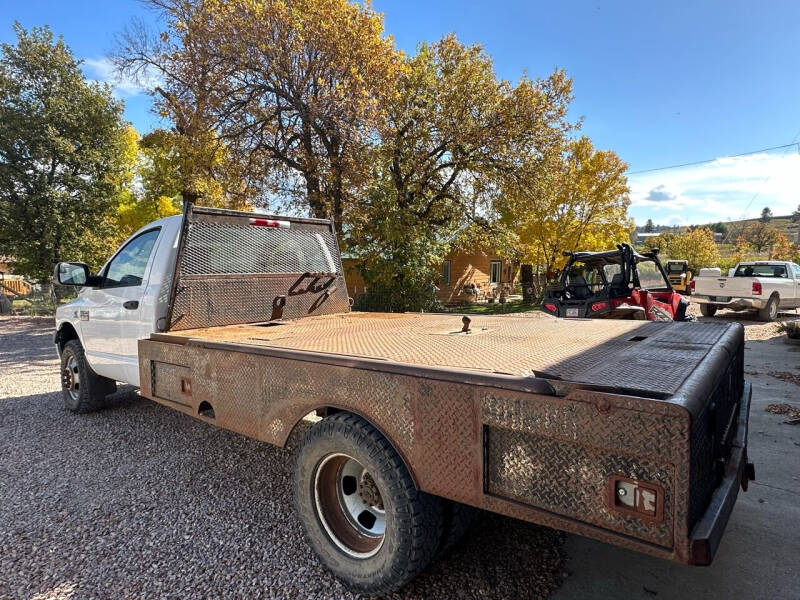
(452, 132)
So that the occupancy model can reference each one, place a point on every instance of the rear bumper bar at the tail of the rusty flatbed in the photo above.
(707, 534)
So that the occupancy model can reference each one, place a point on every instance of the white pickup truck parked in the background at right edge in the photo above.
(765, 286)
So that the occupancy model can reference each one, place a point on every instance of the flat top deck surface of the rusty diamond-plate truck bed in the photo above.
(652, 359)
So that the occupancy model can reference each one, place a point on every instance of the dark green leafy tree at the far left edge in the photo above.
(62, 145)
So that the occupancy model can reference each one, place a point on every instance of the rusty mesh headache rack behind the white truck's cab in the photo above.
(237, 267)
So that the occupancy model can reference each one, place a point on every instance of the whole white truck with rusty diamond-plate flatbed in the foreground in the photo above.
(242, 320)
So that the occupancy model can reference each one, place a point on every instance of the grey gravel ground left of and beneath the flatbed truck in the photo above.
(140, 501)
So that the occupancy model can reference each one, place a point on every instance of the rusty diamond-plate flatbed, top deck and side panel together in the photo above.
(472, 437)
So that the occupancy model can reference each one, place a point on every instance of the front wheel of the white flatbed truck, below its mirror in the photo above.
(83, 389)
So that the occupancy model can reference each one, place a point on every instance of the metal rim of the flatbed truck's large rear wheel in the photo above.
(349, 505)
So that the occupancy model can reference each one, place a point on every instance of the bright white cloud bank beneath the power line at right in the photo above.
(725, 189)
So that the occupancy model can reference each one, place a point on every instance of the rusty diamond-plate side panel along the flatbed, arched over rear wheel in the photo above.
(437, 427)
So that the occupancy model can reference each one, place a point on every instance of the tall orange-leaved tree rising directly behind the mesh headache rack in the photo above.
(293, 90)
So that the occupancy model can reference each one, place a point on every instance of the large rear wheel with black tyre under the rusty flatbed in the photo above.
(359, 508)
